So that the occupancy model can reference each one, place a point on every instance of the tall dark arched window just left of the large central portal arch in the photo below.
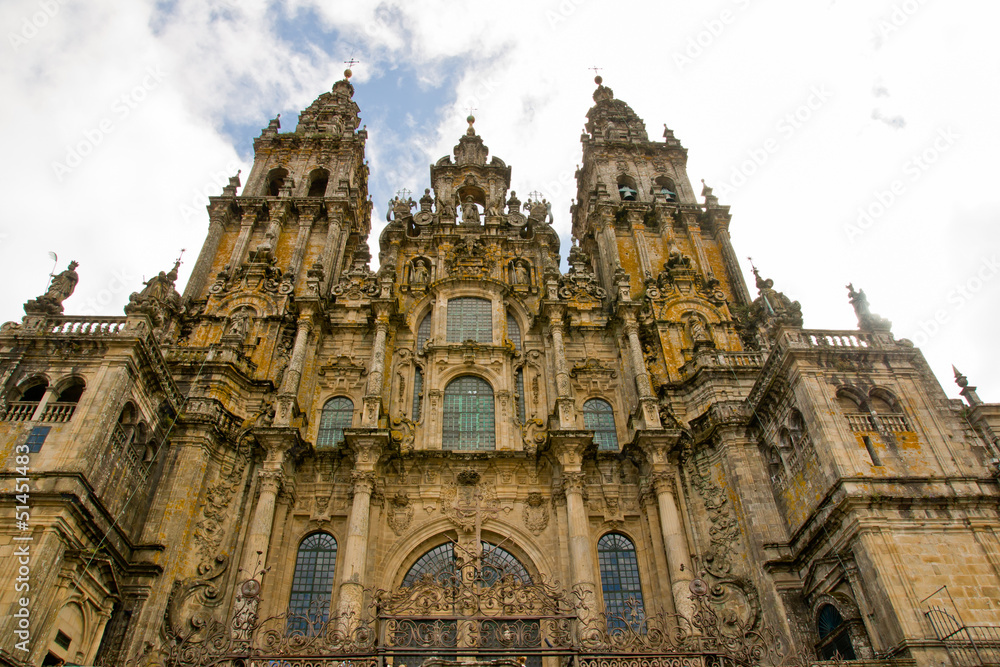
(312, 583)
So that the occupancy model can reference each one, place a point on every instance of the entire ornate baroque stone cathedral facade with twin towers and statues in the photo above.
(471, 455)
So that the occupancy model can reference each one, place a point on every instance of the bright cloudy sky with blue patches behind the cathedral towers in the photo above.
(856, 140)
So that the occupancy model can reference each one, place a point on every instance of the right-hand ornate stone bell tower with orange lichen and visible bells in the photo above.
(636, 213)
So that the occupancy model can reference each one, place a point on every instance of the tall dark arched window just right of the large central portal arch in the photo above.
(620, 580)
